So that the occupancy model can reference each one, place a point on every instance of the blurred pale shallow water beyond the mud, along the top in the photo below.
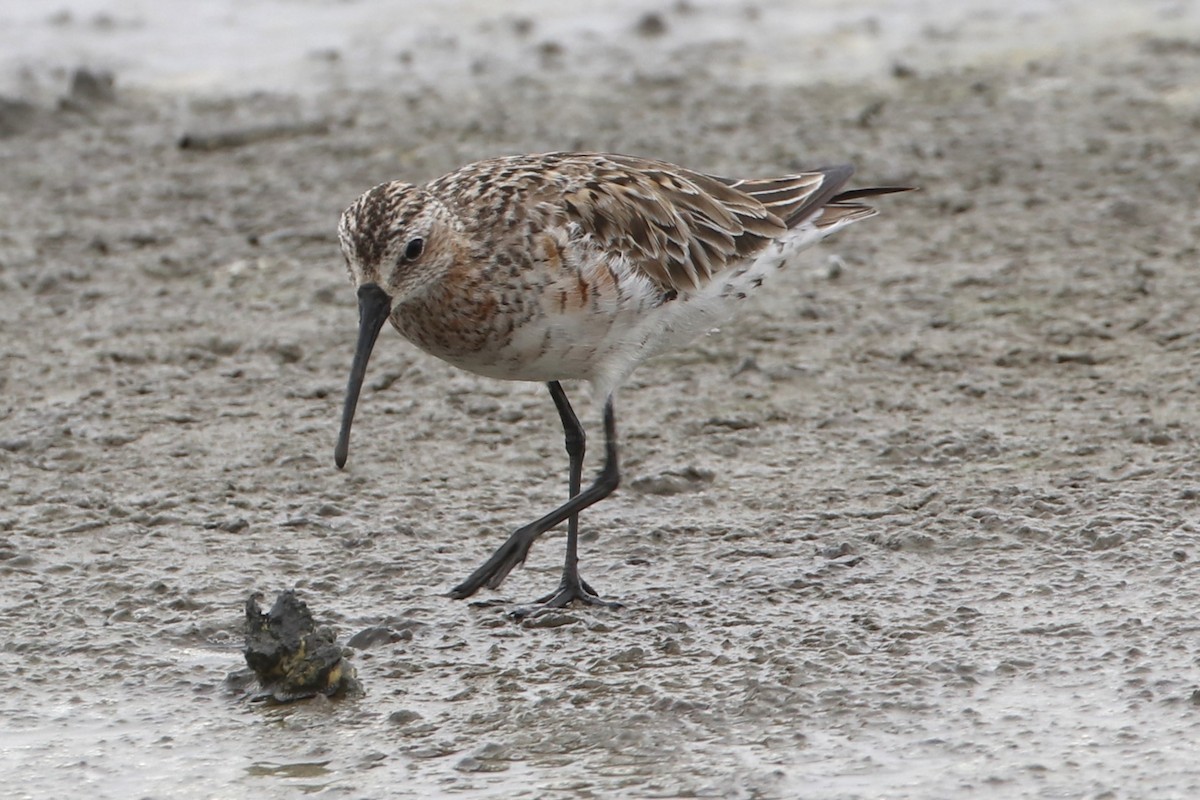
(225, 46)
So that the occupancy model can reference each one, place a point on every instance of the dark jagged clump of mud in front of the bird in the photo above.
(292, 658)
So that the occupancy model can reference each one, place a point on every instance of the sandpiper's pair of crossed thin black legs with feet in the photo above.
(513, 554)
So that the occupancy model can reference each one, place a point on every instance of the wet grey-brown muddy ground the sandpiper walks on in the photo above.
(922, 524)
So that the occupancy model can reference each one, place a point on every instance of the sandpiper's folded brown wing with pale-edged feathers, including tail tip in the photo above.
(679, 228)
